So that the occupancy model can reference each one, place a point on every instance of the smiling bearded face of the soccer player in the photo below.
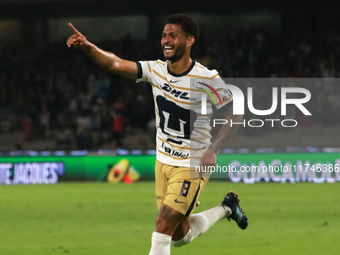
(174, 42)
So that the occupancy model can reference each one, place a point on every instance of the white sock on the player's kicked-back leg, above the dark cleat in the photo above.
(201, 222)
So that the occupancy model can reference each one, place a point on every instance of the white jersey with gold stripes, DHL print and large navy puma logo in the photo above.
(183, 125)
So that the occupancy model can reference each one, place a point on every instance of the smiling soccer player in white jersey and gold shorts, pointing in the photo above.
(183, 131)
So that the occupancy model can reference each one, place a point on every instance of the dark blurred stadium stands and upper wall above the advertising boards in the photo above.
(55, 98)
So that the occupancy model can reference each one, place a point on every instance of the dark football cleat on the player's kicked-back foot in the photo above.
(231, 200)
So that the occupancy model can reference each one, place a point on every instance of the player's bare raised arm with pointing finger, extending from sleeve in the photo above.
(104, 59)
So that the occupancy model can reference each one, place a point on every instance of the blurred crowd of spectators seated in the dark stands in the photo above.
(53, 92)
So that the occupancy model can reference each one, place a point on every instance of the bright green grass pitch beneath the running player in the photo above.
(102, 218)
